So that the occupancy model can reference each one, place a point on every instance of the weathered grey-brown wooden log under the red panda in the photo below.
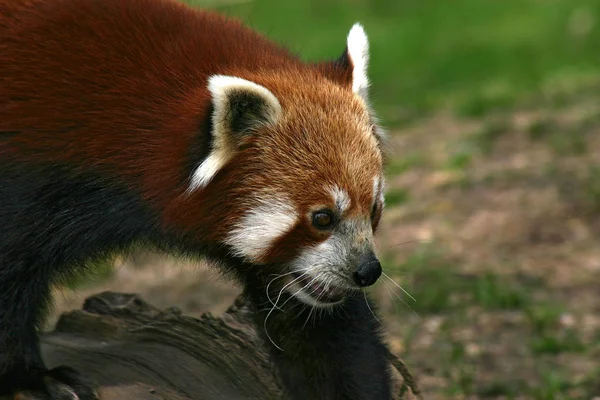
(136, 351)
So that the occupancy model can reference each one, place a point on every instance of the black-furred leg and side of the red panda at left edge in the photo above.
(53, 221)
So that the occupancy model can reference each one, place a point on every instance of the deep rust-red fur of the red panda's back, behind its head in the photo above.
(110, 74)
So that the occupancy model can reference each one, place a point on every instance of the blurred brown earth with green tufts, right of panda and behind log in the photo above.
(494, 227)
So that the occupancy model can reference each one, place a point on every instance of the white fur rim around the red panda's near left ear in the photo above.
(224, 90)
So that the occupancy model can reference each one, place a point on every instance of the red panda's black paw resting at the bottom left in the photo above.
(61, 383)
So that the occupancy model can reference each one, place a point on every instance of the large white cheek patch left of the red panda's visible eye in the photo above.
(258, 229)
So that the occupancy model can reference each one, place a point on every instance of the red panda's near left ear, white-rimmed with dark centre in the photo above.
(239, 107)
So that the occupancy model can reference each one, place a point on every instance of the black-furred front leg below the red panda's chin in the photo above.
(326, 354)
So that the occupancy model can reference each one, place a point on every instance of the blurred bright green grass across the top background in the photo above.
(469, 55)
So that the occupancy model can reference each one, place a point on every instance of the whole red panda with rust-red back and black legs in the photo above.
(126, 122)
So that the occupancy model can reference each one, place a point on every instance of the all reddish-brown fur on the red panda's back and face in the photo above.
(122, 90)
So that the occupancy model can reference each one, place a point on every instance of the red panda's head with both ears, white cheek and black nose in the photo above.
(296, 165)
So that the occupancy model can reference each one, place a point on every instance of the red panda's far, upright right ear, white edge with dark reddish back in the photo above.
(350, 69)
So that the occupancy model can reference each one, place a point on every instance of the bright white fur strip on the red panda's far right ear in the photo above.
(358, 51)
